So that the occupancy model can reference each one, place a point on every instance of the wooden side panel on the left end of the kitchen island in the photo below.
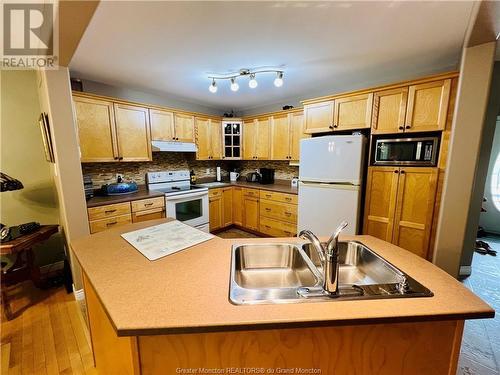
(112, 354)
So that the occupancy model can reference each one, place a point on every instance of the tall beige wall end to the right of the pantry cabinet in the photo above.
(465, 142)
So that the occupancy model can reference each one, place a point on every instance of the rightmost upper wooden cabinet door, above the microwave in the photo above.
(427, 106)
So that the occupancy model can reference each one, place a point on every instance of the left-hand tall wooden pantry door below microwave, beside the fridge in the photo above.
(380, 202)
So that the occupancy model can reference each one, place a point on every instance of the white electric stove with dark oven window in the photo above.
(183, 201)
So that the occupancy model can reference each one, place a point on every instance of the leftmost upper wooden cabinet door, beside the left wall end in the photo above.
(96, 130)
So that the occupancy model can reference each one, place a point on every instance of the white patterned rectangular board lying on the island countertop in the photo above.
(164, 239)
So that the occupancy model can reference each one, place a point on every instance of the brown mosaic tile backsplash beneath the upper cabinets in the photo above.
(105, 173)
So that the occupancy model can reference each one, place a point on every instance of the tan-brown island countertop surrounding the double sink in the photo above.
(189, 291)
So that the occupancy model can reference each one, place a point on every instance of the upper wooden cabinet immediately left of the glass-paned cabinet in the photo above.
(208, 138)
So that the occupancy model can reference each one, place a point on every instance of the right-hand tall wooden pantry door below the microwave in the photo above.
(414, 209)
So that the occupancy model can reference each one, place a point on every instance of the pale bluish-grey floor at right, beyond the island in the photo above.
(480, 352)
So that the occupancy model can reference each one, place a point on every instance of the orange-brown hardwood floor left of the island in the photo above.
(49, 337)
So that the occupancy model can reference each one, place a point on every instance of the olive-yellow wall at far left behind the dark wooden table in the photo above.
(22, 157)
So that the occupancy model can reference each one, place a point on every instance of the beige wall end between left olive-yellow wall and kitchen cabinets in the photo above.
(55, 98)
